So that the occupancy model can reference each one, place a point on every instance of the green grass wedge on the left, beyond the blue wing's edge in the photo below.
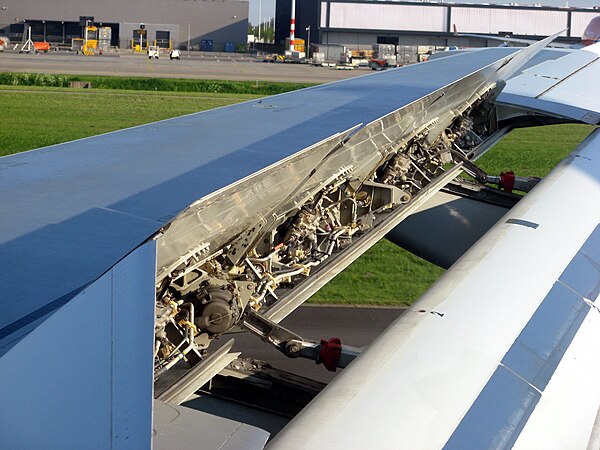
(42, 116)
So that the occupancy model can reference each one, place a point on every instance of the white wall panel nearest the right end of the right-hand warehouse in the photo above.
(518, 21)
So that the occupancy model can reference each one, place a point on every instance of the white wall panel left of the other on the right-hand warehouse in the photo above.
(369, 16)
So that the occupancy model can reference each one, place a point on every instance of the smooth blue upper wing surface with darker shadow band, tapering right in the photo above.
(71, 211)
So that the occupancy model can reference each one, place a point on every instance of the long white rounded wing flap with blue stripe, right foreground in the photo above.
(501, 352)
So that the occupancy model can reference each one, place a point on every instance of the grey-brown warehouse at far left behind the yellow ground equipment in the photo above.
(208, 24)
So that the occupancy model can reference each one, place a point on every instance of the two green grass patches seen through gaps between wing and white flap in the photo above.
(387, 274)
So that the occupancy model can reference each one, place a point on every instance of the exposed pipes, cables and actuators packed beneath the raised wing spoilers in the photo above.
(207, 294)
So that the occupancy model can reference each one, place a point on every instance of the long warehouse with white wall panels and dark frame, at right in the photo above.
(361, 23)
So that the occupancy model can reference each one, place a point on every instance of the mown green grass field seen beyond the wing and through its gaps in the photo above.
(385, 274)
